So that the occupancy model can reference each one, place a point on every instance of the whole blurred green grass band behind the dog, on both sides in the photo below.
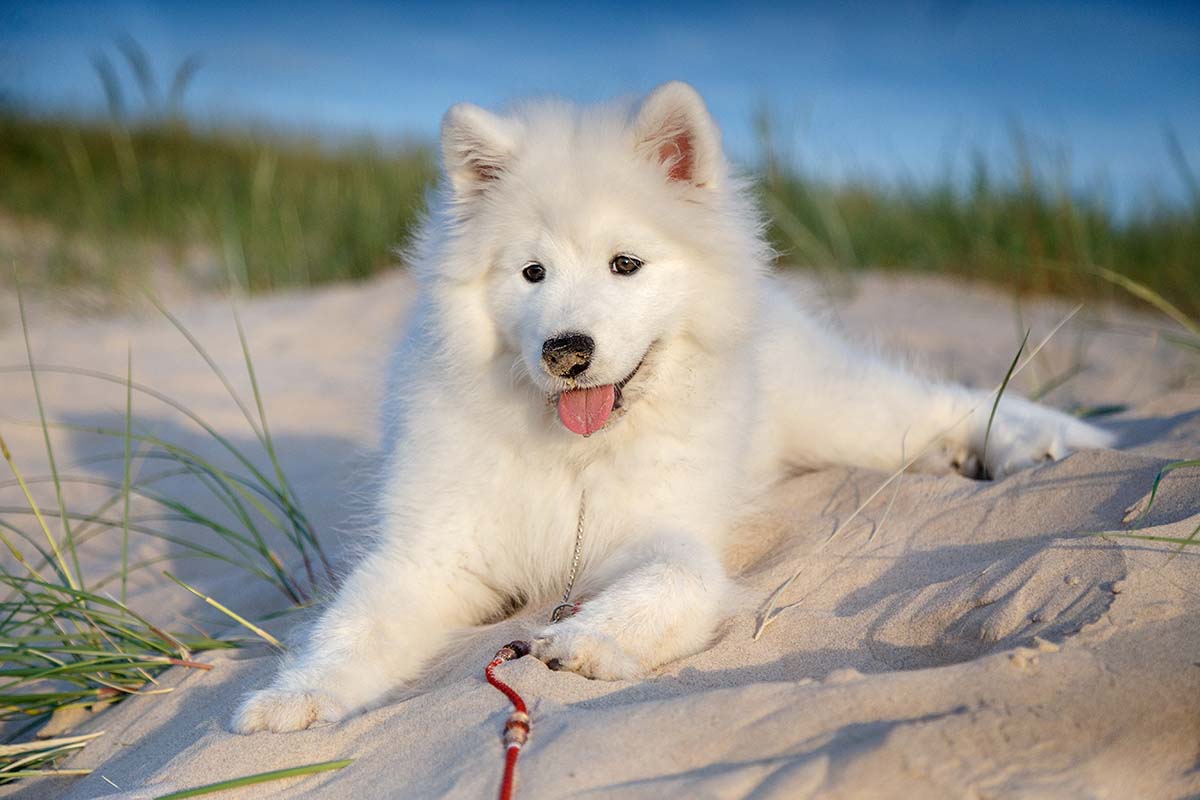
(106, 203)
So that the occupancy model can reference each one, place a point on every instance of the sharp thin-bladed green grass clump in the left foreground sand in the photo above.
(67, 640)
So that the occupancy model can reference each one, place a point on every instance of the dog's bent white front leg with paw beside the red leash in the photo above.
(663, 599)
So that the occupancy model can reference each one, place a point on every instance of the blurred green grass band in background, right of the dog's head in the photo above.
(1011, 225)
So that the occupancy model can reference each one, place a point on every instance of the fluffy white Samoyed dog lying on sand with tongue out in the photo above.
(599, 381)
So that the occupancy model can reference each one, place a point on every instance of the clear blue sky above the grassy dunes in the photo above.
(892, 91)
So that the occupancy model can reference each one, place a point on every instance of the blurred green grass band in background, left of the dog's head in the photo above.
(111, 203)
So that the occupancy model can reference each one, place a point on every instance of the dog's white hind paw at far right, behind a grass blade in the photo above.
(1024, 435)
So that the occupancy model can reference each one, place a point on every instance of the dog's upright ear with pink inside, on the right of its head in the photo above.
(675, 129)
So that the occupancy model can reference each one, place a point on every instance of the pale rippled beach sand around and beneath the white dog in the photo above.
(958, 640)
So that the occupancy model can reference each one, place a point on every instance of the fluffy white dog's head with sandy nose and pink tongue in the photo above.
(597, 236)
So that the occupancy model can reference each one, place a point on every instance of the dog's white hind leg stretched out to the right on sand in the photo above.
(830, 404)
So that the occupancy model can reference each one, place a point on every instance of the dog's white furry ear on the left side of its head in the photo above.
(477, 147)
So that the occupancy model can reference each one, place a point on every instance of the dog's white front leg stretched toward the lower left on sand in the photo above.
(389, 618)
